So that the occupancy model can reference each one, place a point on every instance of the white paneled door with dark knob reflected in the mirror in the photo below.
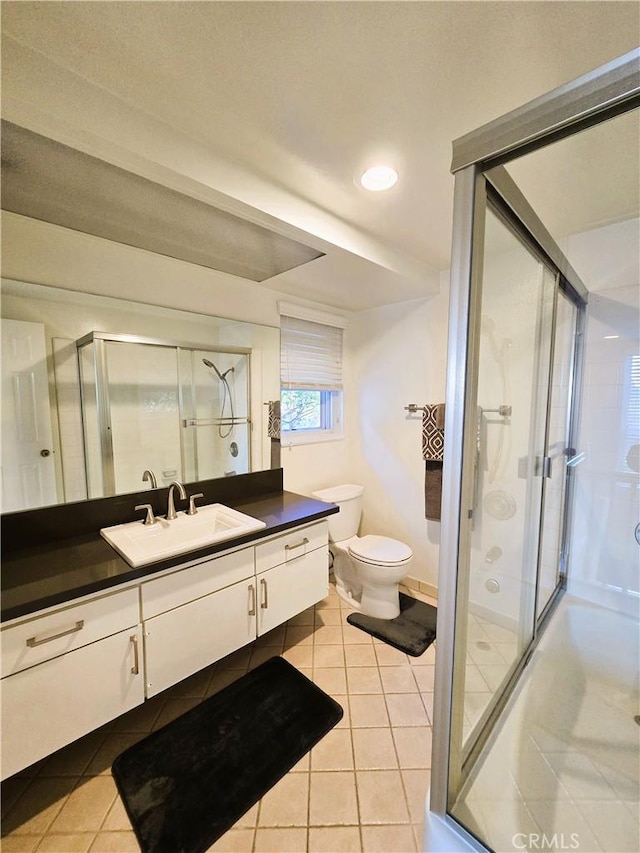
(28, 473)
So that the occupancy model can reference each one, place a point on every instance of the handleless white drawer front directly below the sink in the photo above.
(187, 584)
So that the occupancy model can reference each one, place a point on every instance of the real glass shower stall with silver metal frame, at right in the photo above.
(536, 735)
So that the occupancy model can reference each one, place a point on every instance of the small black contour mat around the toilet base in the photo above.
(412, 631)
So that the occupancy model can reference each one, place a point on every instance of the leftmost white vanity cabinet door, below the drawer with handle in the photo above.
(52, 704)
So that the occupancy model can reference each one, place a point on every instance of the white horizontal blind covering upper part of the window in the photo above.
(311, 354)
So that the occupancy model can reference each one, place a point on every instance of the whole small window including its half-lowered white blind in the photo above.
(311, 379)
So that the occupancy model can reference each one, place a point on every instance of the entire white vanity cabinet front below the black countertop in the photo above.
(68, 671)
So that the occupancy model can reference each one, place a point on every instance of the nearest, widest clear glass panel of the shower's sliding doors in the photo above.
(513, 381)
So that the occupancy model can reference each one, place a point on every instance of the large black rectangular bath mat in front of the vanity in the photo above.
(188, 783)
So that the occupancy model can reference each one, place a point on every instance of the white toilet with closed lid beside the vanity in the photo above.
(367, 569)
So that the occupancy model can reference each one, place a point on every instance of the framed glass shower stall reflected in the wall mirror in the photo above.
(180, 412)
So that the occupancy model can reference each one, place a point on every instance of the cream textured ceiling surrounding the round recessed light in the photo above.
(304, 95)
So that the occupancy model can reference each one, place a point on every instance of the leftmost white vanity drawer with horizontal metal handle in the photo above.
(62, 631)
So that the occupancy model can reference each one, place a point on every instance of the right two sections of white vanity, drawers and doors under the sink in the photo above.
(201, 612)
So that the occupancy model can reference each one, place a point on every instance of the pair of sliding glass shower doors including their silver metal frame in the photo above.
(518, 355)
